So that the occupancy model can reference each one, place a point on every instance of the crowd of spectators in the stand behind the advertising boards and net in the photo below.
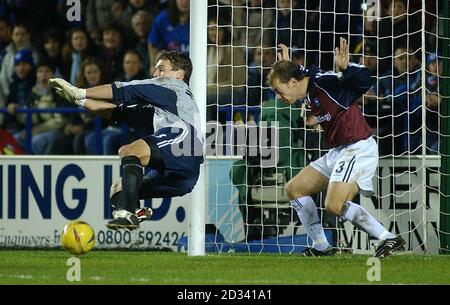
(119, 39)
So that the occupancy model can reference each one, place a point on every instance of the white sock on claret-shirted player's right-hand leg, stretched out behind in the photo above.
(362, 219)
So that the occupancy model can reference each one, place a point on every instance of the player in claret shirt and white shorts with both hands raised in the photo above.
(349, 166)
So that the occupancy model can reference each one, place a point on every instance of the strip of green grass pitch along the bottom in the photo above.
(167, 268)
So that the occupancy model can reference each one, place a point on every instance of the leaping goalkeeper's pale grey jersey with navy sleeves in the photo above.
(159, 103)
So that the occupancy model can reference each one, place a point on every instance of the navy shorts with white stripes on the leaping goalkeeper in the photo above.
(176, 155)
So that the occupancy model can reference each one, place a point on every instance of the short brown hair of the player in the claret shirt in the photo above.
(284, 70)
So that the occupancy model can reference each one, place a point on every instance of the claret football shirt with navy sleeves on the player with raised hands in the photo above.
(331, 99)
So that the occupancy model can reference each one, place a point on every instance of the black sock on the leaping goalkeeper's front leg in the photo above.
(131, 182)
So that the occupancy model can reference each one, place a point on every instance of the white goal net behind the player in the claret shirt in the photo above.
(256, 143)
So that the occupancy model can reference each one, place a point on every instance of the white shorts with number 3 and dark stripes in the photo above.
(352, 163)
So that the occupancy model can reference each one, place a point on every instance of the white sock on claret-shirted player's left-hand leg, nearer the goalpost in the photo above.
(307, 212)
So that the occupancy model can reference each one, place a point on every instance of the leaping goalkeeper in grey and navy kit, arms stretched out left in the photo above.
(173, 153)
